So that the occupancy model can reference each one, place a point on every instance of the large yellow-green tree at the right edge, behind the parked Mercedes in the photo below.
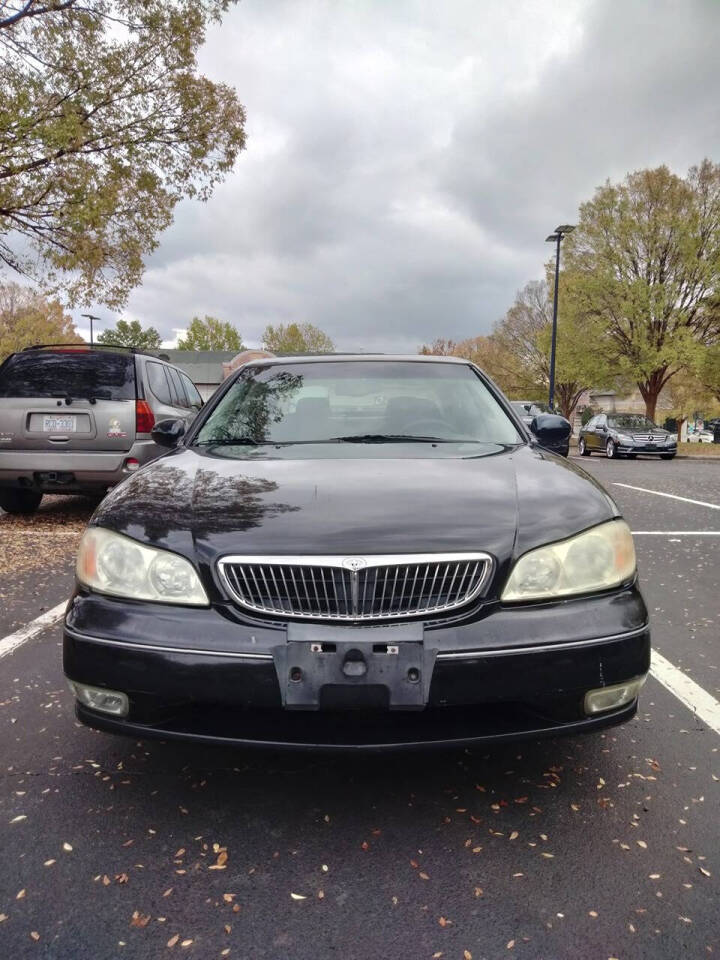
(646, 255)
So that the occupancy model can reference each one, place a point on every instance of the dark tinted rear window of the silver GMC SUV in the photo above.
(90, 374)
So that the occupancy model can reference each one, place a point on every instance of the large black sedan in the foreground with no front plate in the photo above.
(350, 552)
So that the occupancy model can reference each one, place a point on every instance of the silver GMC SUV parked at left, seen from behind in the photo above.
(77, 419)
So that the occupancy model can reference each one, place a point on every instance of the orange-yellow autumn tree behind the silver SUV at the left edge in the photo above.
(28, 318)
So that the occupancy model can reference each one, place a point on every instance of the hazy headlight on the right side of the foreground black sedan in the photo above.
(594, 560)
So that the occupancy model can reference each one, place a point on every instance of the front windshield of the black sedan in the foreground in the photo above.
(367, 401)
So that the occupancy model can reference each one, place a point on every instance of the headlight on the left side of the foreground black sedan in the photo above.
(111, 563)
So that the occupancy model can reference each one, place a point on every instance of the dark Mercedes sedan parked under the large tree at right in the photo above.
(626, 435)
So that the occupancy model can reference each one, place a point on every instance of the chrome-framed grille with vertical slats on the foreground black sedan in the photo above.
(356, 588)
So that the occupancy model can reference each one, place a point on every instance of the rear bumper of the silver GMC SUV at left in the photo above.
(71, 471)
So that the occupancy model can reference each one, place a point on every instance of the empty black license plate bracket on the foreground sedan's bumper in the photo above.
(351, 665)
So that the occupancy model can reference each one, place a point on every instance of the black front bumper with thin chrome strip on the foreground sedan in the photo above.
(208, 675)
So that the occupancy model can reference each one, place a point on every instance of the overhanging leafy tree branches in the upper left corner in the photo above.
(106, 124)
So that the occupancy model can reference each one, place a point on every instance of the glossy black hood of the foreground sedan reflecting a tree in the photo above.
(205, 506)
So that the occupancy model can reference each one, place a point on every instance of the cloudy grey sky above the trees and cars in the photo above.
(407, 158)
